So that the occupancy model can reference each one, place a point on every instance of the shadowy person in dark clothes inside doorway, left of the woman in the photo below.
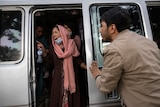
(41, 66)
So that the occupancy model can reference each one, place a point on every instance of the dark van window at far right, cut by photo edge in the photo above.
(153, 11)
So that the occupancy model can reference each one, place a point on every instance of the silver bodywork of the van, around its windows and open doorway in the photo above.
(17, 78)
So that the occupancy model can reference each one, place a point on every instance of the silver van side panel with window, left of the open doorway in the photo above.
(13, 62)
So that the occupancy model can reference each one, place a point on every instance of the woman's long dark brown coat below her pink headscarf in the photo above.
(57, 85)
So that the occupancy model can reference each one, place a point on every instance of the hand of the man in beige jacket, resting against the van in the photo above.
(95, 70)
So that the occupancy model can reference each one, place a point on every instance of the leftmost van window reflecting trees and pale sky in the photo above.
(10, 35)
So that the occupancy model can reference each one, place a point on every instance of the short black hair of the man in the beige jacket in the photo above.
(118, 16)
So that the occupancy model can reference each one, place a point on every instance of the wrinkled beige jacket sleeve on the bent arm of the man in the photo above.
(111, 72)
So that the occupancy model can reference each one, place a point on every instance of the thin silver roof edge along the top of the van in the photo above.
(49, 2)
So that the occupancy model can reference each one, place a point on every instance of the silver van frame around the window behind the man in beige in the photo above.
(94, 93)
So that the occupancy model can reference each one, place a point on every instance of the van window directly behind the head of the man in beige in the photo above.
(96, 11)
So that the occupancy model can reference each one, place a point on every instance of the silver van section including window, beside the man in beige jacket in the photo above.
(95, 45)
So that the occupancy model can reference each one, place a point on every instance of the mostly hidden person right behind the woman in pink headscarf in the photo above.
(71, 27)
